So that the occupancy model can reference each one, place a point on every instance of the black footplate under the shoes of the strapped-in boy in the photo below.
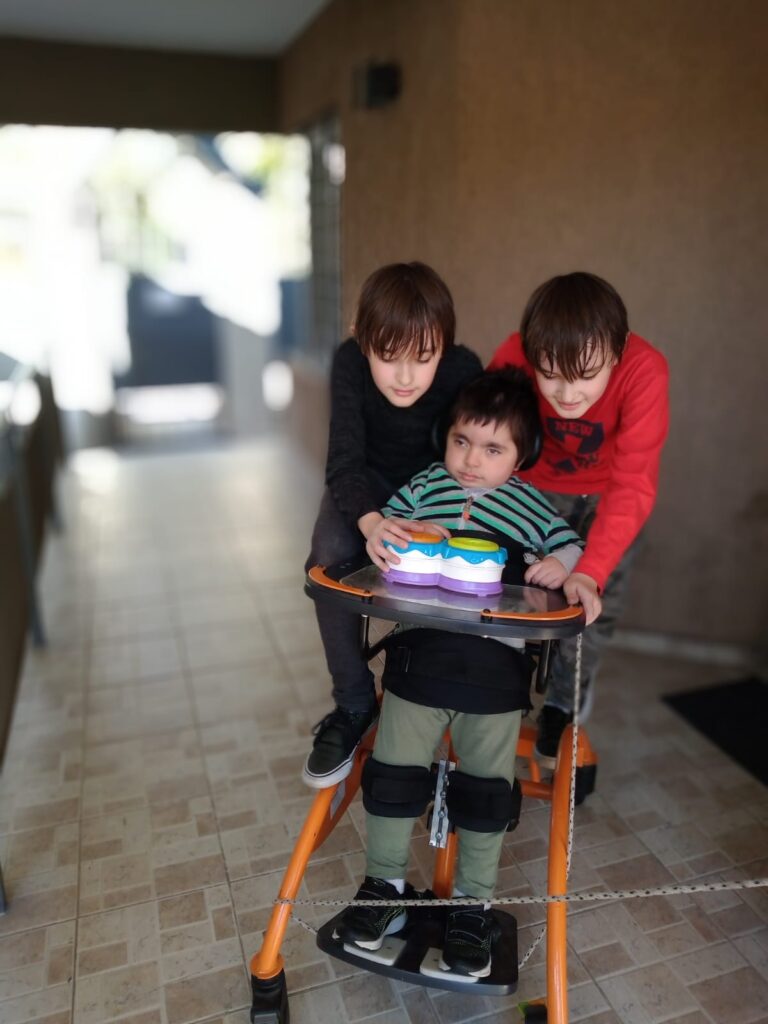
(404, 954)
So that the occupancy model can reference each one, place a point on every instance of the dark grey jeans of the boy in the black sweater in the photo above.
(335, 540)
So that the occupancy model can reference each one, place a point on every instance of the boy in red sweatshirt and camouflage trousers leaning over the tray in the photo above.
(604, 403)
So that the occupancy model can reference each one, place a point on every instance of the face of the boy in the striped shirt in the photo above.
(481, 455)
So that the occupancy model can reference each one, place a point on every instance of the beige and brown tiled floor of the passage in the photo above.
(151, 793)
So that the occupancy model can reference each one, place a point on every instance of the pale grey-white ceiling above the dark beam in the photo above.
(241, 27)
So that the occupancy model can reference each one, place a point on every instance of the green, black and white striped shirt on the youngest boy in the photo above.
(517, 510)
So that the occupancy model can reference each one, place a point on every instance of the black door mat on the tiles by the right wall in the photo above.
(735, 716)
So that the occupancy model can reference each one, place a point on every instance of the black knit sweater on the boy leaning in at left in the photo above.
(369, 434)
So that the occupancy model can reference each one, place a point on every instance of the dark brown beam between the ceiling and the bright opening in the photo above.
(103, 87)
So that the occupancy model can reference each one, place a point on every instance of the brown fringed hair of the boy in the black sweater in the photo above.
(405, 309)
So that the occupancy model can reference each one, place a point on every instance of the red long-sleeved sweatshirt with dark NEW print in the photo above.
(613, 451)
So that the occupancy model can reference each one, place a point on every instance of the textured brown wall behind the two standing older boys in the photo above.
(630, 140)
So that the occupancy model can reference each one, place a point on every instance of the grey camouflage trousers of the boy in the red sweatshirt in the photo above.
(579, 513)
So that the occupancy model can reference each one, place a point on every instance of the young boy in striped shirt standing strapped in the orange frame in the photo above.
(494, 430)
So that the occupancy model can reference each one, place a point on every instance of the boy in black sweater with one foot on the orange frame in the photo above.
(390, 383)
